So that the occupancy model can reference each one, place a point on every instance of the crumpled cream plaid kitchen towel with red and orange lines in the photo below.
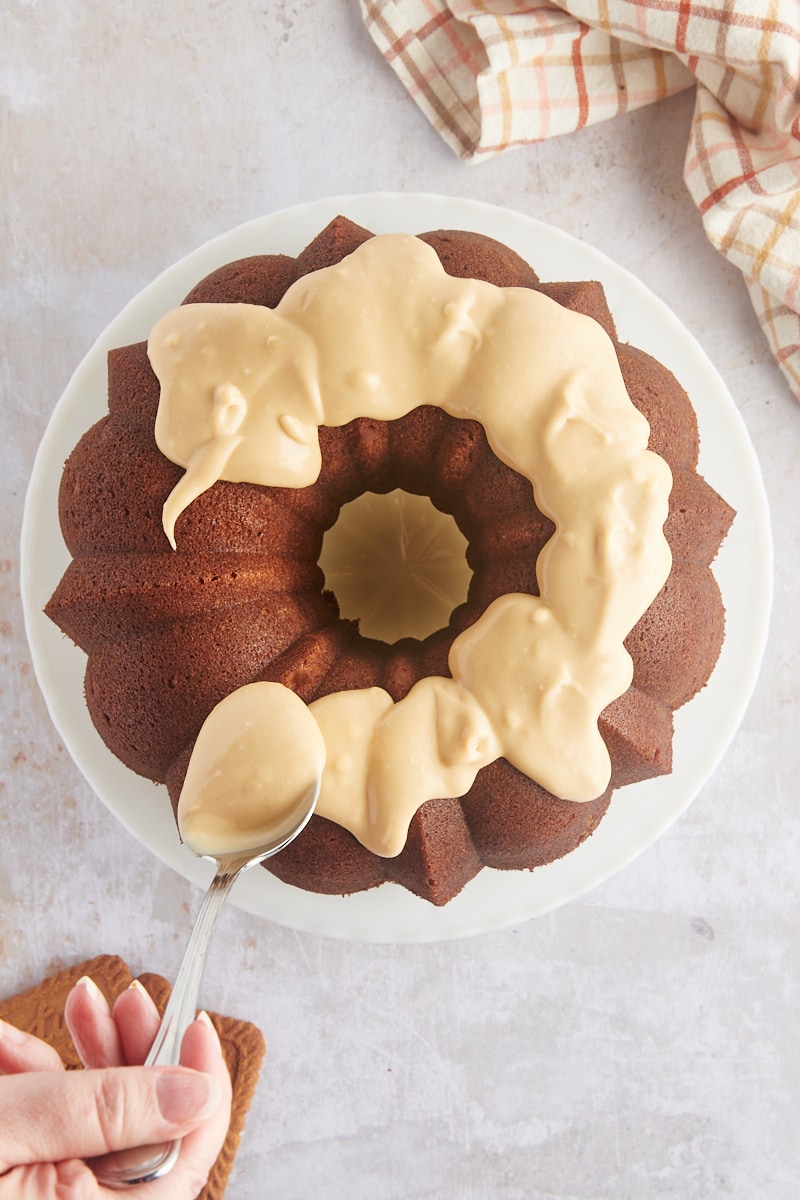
(491, 75)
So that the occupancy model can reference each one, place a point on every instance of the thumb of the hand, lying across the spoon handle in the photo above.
(49, 1117)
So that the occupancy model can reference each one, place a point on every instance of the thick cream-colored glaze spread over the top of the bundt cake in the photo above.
(380, 334)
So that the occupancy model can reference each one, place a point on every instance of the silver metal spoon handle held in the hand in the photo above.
(128, 1168)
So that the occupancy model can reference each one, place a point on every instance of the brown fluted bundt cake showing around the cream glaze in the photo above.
(169, 634)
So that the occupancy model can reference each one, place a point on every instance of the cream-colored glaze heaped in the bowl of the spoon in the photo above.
(257, 759)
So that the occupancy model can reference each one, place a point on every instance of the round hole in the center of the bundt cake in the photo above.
(396, 565)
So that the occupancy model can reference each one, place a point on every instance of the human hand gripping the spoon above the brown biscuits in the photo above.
(53, 1120)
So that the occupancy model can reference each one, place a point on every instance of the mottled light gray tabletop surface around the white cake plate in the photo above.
(639, 1043)
